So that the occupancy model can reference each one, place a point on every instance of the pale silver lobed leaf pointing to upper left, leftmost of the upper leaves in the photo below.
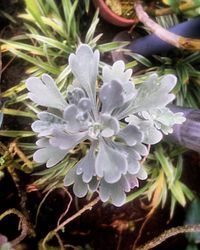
(45, 92)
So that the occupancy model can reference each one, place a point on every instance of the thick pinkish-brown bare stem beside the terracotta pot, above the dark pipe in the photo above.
(163, 34)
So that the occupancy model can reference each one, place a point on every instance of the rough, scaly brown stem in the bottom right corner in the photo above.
(169, 233)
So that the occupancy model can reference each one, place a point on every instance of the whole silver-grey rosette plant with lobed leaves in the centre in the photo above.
(118, 119)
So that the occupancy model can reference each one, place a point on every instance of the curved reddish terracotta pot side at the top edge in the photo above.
(110, 16)
